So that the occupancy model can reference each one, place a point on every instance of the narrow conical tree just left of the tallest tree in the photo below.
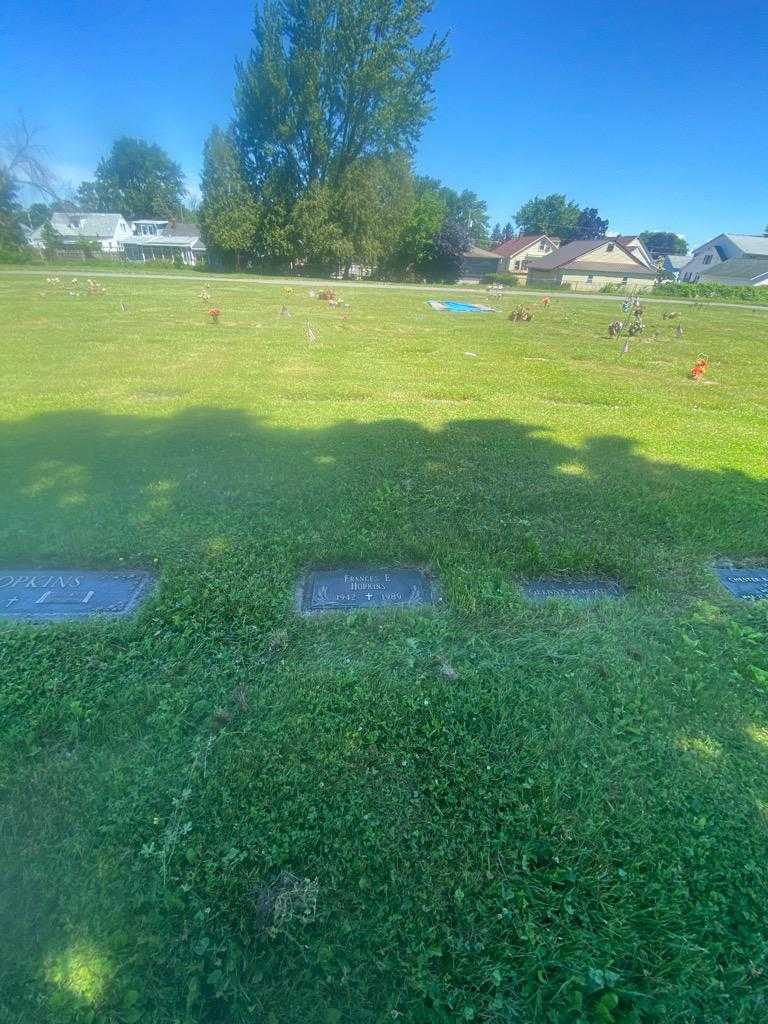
(230, 217)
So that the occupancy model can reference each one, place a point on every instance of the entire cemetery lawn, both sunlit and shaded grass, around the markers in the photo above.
(221, 812)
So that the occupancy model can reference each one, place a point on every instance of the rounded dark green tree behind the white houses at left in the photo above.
(138, 180)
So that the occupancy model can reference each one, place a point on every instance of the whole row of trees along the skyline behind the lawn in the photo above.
(316, 167)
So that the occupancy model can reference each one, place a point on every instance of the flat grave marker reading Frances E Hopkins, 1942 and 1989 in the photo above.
(351, 589)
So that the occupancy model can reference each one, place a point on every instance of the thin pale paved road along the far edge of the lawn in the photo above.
(203, 279)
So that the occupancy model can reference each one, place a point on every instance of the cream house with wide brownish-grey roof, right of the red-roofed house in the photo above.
(590, 265)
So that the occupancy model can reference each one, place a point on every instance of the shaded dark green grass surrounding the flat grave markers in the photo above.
(588, 796)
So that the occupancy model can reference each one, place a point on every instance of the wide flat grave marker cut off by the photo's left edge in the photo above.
(57, 594)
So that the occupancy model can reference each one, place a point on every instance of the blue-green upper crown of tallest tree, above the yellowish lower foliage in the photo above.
(329, 82)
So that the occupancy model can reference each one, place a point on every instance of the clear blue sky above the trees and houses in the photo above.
(655, 113)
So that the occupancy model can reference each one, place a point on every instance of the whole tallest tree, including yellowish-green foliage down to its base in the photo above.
(328, 109)
